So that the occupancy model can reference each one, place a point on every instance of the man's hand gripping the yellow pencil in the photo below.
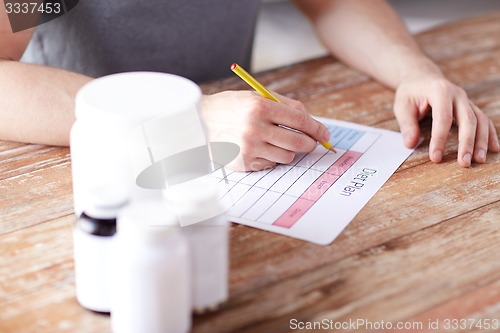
(251, 121)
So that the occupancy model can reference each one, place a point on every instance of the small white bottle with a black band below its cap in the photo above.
(92, 236)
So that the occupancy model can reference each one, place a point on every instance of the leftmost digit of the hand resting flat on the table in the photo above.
(407, 116)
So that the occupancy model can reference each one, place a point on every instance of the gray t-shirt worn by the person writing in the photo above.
(198, 39)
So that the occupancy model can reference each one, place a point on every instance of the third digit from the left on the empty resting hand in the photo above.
(467, 123)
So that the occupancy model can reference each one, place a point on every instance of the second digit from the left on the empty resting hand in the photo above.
(442, 119)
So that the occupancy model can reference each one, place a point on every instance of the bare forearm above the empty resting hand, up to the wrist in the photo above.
(369, 36)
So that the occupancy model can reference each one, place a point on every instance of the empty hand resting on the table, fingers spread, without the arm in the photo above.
(449, 103)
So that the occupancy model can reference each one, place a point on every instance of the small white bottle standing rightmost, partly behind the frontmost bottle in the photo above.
(206, 229)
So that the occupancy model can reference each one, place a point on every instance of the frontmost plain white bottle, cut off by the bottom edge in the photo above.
(150, 290)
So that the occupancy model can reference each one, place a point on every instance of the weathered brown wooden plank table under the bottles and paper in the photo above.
(425, 247)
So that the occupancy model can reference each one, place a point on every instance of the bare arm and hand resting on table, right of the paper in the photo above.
(371, 37)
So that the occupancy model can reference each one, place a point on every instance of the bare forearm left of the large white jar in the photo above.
(37, 103)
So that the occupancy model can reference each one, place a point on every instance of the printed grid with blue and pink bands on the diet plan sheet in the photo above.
(261, 195)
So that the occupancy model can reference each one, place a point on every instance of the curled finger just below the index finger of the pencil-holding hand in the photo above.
(291, 140)
